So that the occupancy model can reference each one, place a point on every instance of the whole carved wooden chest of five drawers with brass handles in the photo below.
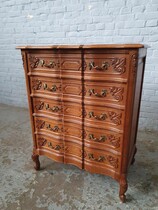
(84, 105)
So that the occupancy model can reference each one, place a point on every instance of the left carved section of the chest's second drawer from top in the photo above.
(46, 86)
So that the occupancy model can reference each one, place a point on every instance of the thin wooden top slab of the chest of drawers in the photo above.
(96, 46)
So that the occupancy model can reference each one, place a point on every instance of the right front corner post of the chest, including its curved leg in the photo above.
(128, 141)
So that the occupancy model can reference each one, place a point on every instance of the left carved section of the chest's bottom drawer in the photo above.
(50, 147)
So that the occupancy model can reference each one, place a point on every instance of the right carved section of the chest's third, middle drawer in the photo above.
(104, 116)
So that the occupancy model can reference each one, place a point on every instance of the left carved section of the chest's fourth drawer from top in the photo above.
(48, 126)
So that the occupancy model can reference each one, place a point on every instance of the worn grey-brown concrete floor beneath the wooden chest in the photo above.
(66, 187)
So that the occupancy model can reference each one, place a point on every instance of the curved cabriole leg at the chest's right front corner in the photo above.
(123, 188)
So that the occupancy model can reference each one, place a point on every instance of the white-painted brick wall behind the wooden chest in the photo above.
(26, 22)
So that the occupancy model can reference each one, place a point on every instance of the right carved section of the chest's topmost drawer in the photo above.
(108, 65)
